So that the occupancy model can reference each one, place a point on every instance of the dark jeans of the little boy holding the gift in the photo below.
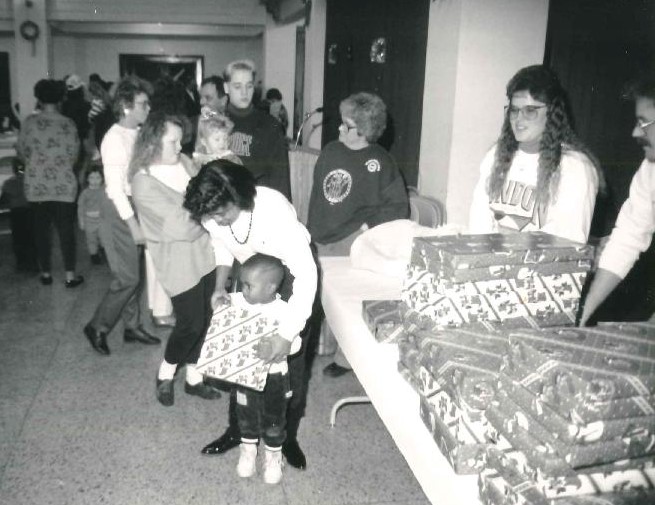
(262, 414)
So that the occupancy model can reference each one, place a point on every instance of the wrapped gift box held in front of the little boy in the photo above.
(229, 351)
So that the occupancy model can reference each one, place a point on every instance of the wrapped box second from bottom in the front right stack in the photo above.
(508, 415)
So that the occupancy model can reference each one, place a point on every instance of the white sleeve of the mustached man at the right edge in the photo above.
(635, 225)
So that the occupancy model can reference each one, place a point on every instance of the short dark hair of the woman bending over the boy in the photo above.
(219, 183)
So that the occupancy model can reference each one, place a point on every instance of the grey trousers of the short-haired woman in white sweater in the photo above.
(126, 297)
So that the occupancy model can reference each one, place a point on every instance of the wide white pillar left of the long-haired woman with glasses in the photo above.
(463, 99)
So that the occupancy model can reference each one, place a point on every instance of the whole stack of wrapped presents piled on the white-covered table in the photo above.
(545, 412)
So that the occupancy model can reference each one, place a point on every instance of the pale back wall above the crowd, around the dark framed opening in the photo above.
(86, 55)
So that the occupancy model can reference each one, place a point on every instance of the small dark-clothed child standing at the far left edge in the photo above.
(21, 219)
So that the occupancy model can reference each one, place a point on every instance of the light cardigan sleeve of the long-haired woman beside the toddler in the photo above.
(161, 214)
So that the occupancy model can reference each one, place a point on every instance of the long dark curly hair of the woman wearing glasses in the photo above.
(558, 137)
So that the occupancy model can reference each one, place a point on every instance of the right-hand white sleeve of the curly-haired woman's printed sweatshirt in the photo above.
(569, 215)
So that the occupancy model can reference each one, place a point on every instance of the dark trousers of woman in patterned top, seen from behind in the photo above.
(62, 215)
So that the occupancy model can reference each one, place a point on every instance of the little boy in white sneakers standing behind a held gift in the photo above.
(263, 414)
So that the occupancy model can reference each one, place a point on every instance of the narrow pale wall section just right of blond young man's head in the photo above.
(280, 62)
